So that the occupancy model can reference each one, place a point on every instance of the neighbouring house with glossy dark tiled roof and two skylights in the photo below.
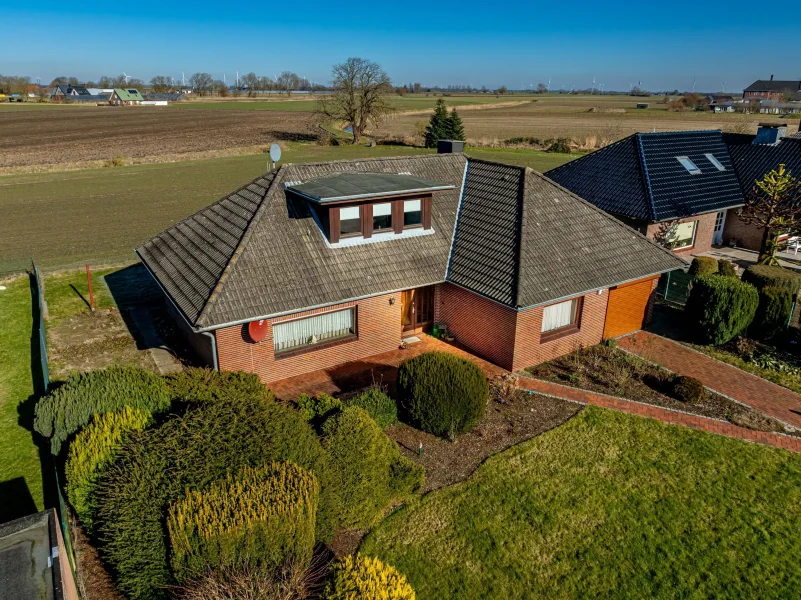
(673, 187)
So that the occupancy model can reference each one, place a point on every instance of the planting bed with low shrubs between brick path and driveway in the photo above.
(608, 370)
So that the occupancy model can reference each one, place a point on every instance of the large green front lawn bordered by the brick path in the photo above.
(607, 506)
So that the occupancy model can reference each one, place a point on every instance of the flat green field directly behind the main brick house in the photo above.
(100, 215)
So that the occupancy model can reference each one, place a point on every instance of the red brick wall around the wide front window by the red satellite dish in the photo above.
(378, 328)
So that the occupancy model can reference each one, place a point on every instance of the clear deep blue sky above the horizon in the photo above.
(662, 44)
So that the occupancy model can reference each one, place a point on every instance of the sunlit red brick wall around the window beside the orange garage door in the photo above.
(529, 351)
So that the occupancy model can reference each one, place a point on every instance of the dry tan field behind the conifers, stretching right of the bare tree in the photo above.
(574, 119)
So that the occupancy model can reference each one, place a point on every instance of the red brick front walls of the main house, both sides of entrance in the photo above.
(508, 338)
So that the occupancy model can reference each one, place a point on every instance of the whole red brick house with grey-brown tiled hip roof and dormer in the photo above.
(314, 265)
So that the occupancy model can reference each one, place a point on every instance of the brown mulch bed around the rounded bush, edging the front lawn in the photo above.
(507, 422)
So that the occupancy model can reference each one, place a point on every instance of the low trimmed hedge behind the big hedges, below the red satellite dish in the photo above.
(198, 384)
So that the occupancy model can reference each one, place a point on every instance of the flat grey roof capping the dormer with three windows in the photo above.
(339, 187)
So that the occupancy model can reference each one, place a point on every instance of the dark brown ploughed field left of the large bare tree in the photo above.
(102, 133)
